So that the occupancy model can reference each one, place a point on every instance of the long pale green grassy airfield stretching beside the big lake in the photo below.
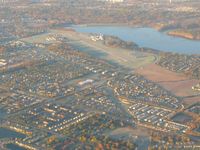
(124, 57)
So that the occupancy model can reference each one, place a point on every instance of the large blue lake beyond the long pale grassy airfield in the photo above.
(146, 37)
